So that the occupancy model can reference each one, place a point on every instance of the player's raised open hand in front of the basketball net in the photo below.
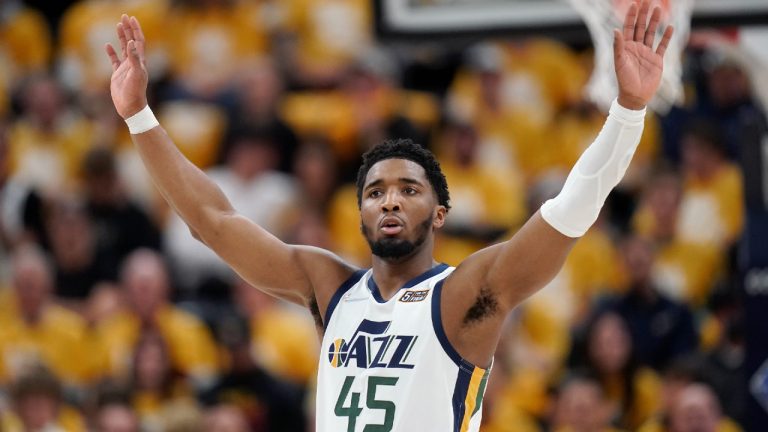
(638, 66)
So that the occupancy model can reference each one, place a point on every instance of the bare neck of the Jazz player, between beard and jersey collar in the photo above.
(391, 275)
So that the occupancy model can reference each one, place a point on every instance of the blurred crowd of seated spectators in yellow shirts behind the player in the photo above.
(113, 318)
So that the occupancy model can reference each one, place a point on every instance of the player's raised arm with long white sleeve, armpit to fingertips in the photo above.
(490, 283)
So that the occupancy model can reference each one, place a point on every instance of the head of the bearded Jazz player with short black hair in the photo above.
(402, 195)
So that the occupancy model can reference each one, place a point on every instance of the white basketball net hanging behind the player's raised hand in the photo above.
(602, 16)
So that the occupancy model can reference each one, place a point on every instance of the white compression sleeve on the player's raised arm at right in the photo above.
(597, 171)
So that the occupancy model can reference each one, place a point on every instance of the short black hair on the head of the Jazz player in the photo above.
(409, 150)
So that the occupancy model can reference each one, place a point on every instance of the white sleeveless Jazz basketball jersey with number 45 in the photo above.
(388, 366)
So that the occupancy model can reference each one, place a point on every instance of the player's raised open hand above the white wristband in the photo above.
(129, 72)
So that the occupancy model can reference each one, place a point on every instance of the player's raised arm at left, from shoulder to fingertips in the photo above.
(299, 274)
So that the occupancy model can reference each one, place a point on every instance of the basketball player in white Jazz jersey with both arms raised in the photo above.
(409, 343)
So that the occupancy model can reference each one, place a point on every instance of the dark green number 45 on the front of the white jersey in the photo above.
(354, 410)
